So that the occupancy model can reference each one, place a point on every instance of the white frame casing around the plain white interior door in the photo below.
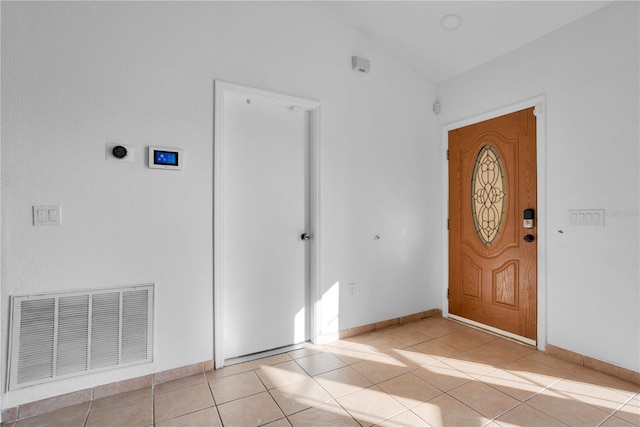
(221, 90)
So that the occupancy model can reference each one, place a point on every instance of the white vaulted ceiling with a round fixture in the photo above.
(412, 29)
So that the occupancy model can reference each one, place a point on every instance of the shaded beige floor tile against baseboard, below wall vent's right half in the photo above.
(134, 414)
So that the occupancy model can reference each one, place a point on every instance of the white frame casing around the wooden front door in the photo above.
(540, 105)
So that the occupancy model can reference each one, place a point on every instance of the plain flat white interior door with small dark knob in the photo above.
(266, 212)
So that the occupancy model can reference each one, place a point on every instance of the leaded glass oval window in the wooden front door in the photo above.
(488, 195)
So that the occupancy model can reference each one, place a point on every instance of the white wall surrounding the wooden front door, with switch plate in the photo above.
(589, 73)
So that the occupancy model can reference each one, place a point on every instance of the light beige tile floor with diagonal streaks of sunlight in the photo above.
(434, 372)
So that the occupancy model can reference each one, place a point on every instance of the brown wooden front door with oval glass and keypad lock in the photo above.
(492, 250)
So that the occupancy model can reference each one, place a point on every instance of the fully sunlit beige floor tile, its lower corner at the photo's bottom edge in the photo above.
(371, 405)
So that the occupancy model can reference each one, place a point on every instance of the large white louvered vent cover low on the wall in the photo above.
(61, 335)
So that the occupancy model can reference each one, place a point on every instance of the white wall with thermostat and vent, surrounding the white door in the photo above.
(76, 75)
